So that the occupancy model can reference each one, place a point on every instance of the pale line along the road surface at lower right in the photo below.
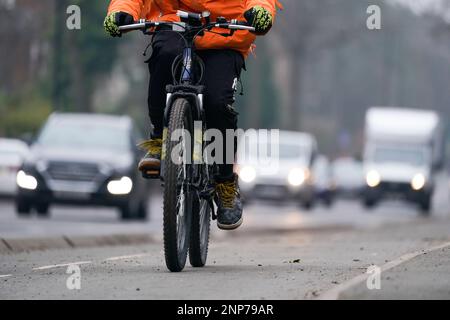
(334, 293)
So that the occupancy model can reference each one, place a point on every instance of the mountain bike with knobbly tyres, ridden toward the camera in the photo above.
(188, 187)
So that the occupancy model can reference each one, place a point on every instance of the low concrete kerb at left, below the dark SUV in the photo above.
(12, 246)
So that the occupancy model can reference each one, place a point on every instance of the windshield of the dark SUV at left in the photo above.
(88, 135)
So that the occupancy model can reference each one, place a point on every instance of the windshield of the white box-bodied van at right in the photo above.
(414, 157)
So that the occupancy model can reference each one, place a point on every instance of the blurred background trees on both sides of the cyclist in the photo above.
(318, 70)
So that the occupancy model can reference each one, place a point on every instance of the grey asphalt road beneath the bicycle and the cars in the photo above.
(281, 252)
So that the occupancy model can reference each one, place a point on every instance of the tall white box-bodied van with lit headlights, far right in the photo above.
(402, 149)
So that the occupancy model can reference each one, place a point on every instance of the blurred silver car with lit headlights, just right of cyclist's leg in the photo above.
(287, 175)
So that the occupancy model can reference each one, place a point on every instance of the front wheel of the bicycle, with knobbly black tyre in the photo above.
(178, 198)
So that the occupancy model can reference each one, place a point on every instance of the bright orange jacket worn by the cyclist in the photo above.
(165, 10)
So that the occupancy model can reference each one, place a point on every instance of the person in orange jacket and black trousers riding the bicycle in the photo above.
(224, 58)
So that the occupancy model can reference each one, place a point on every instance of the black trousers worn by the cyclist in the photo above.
(222, 71)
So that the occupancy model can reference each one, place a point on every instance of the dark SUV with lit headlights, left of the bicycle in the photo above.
(83, 159)
